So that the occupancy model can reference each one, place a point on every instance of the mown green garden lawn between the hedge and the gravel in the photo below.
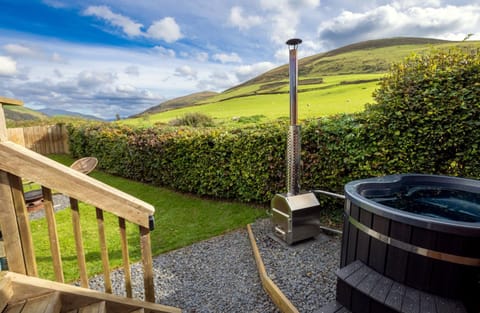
(180, 220)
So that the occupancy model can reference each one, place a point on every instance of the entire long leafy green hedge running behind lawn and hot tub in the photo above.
(426, 119)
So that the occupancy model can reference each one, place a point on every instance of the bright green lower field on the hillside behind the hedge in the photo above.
(337, 94)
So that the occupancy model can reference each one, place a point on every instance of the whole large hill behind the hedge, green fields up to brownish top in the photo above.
(341, 80)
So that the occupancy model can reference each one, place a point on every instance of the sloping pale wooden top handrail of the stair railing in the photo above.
(27, 164)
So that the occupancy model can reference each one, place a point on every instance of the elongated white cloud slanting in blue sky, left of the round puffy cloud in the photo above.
(129, 27)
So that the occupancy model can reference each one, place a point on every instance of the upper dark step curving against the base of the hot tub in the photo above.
(361, 289)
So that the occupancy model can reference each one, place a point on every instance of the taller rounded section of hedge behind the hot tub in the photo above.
(427, 116)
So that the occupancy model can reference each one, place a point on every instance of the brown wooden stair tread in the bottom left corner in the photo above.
(48, 303)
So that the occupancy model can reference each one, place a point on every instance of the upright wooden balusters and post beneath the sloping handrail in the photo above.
(20, 244)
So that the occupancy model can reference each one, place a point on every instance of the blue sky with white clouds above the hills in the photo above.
(111, 57)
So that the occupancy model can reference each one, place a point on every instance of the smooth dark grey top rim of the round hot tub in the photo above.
(353, 189)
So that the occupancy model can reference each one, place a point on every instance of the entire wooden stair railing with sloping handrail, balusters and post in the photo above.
(17, 162)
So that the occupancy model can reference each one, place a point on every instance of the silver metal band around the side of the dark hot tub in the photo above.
(412, 248)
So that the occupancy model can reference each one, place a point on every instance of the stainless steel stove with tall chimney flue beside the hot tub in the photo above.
(295, 215)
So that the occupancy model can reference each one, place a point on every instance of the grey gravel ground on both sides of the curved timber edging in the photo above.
(219, 274)
